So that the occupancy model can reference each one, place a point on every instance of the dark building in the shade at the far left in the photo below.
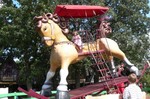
(8, 73)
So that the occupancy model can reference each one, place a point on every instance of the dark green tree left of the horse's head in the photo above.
(20, 40)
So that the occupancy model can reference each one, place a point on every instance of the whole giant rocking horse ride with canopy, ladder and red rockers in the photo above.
(53, 29)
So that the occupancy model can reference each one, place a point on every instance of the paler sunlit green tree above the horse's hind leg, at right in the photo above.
(130, 27)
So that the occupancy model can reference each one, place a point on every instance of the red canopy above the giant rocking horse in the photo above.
(79, 11)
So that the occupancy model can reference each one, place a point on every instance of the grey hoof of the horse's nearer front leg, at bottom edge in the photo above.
(62, 95)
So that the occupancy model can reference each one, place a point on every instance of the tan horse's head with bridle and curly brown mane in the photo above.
(48, 26)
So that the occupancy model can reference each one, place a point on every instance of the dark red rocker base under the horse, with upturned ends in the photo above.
(81, 92)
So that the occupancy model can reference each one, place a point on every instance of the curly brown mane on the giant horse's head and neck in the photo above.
(61, 22)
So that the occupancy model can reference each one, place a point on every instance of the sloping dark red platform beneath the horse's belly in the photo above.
(80, 93)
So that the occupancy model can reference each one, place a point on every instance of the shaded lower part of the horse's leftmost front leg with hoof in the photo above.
(47, 86)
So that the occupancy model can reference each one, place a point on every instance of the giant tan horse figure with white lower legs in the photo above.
(64, 53)
